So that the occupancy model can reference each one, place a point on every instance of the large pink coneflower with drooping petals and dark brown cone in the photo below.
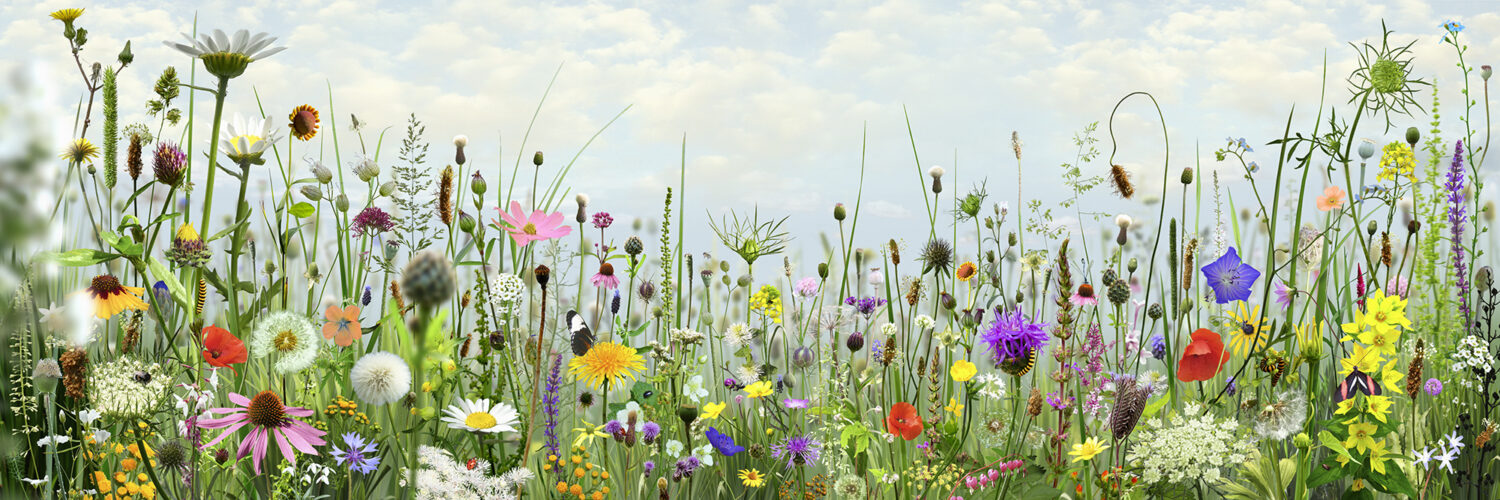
(268, 418)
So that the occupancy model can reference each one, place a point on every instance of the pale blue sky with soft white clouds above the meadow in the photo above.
(778, 100)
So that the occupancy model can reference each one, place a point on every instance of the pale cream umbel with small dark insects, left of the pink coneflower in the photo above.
(128, 388)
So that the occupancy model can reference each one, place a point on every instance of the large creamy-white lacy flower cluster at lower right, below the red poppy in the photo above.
(1186, 450)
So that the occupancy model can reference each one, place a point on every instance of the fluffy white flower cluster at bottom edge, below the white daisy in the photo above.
(442, 478)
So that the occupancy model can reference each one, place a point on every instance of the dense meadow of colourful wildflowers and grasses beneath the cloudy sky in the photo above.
(401, 321)
